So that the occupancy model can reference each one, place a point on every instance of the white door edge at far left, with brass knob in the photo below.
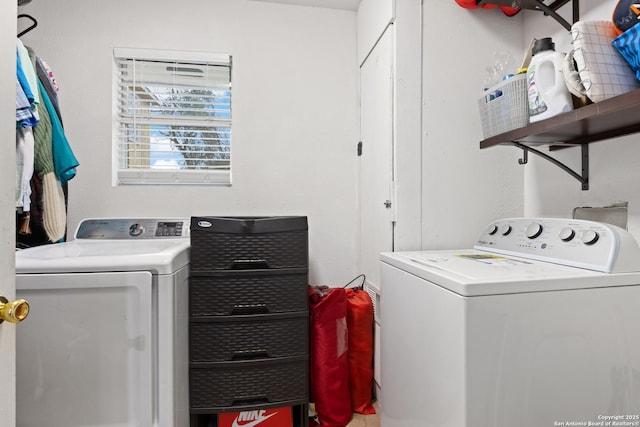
(8, 26)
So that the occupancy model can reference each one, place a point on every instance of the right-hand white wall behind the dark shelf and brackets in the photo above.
(614, 175)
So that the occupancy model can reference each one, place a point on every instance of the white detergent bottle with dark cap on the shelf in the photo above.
(548, 92)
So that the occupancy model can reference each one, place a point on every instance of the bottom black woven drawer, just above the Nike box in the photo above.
(216, 387)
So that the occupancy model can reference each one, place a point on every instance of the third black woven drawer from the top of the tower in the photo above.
(232, 338)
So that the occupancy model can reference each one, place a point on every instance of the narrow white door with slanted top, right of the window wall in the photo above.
(377, 205)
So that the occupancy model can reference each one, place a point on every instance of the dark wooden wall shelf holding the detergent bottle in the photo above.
(610, 118)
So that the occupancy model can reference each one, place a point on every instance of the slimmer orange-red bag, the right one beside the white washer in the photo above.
(360, 326)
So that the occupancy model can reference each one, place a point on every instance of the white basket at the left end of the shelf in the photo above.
(505, 106)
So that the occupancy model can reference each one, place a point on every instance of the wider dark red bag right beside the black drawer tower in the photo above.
(328, 364)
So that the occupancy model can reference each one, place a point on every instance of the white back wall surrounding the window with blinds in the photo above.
(294, 111)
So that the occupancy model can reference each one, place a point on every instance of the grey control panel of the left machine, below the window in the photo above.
(133, 228)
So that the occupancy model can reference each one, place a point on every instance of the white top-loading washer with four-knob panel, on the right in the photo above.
(538, 325)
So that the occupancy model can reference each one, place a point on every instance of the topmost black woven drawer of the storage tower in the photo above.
(225, 243)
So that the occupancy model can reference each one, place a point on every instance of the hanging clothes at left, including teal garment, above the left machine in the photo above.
(42, 218)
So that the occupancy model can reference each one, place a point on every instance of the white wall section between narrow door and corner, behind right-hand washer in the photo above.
(464, 188)
